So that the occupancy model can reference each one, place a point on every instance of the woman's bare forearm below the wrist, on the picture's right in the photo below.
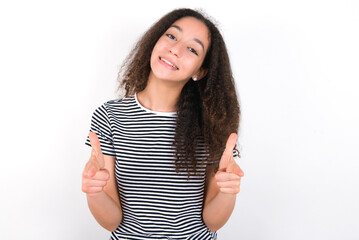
(217, 212)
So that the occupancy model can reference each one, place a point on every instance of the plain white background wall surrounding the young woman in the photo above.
(296, 68)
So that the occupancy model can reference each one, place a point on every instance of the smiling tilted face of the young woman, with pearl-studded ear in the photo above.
(179, 53)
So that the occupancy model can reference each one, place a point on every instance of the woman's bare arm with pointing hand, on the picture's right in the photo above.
(221, 189)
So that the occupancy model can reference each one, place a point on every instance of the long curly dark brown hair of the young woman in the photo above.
(207, 110)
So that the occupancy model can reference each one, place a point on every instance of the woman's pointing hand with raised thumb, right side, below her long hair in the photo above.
(229, 174)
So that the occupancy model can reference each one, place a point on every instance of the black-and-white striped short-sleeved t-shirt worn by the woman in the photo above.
(157, 202)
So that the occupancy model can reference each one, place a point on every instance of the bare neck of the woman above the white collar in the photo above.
(160, 95)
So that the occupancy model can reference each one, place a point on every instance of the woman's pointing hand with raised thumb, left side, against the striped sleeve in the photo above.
(95, 176)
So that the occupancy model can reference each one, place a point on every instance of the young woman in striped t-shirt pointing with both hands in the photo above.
(162, 163)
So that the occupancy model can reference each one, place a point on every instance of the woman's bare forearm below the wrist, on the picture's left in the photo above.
(106, 211)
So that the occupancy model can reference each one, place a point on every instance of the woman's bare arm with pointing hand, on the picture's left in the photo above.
(99, 184)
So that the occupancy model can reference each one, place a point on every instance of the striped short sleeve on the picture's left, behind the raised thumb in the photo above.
(100, 124)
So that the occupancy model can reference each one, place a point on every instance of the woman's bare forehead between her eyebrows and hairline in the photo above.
(193, 28)
